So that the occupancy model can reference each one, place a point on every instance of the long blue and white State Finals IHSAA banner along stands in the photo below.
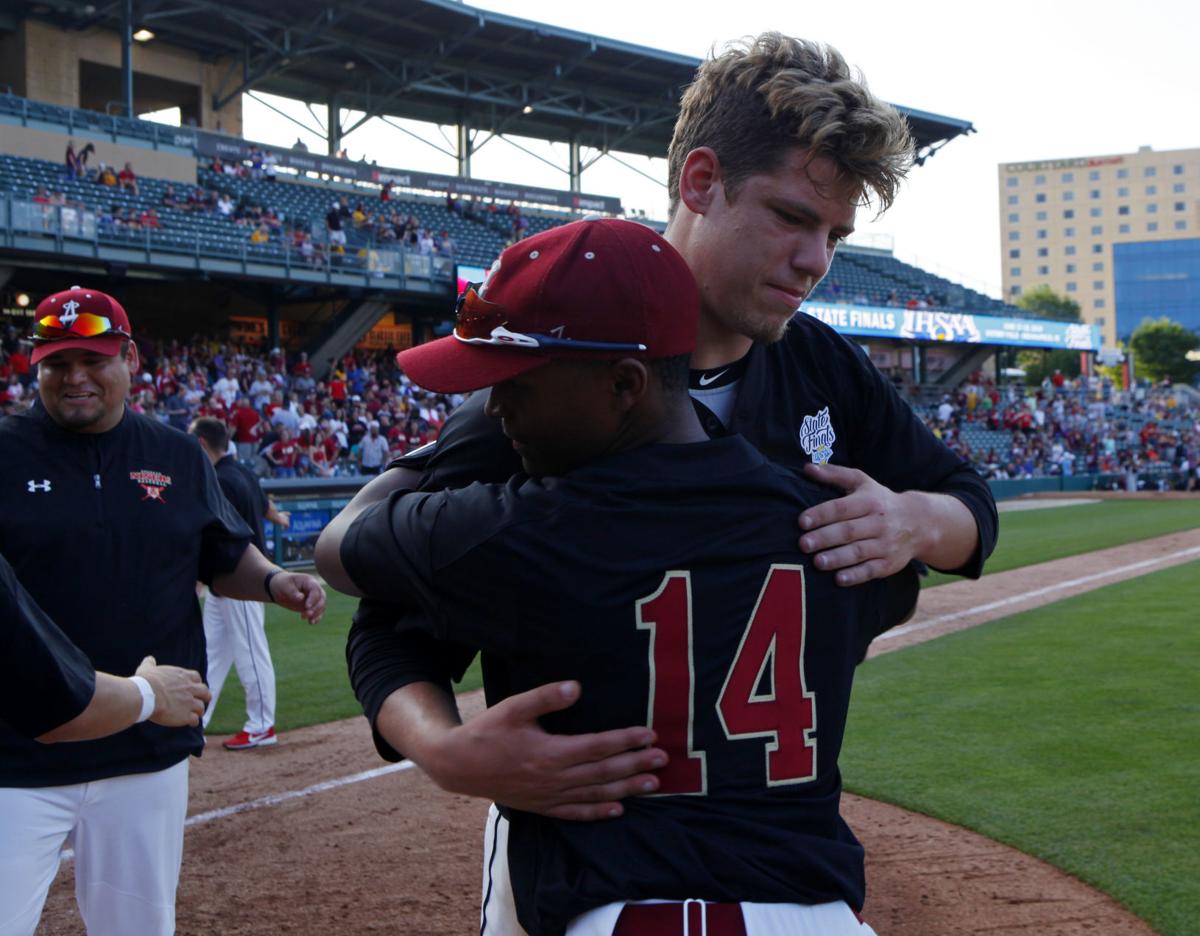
(926, 325)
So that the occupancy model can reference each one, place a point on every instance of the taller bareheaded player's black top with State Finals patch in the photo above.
(812, 397)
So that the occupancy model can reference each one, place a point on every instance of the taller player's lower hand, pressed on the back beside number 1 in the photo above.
(506, 755)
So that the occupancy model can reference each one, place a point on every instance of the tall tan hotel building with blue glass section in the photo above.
(1119, 235)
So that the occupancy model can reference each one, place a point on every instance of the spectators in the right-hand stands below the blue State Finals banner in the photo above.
(1149, 435)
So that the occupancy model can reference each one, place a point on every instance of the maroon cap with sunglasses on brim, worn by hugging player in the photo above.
(604, 289)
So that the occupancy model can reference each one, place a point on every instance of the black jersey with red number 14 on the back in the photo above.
(667, 580)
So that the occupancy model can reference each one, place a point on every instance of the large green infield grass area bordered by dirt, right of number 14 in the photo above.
(1071, 733)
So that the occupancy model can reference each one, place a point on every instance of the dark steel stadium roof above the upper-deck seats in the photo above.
(433, 61)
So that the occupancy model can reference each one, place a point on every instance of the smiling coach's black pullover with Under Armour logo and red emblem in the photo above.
(110, 533)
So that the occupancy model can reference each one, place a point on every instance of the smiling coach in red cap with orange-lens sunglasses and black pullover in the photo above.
(109, 519)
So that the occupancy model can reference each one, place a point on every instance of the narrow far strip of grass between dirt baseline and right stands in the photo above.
(1033, 537)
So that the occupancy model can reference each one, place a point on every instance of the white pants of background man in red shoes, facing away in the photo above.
(237, 637)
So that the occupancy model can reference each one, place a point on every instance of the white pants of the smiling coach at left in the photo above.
(128, 835)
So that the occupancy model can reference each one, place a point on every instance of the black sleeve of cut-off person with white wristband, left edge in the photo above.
(45, 680)
